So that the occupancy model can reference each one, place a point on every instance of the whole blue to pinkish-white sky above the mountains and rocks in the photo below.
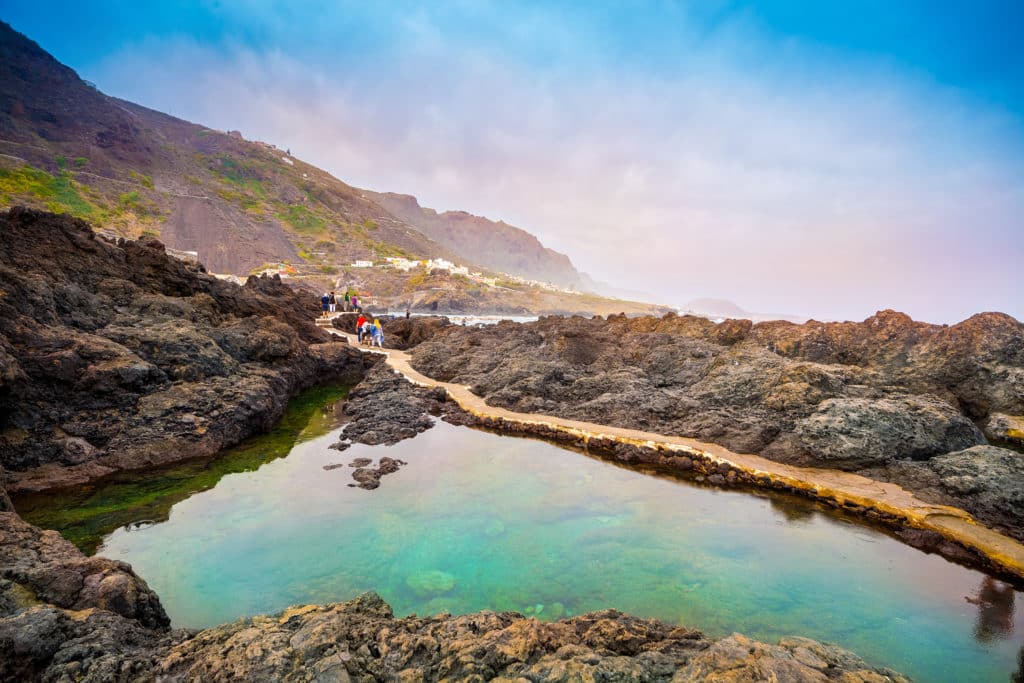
(821, 159)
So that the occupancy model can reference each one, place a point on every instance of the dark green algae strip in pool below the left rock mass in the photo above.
(84, 516)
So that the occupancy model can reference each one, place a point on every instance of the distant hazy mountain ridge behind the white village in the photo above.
(494, 245)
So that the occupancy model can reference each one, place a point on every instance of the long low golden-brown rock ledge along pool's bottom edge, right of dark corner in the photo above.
(362, 641)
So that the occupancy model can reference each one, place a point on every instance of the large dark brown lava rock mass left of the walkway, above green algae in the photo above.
(118, 357)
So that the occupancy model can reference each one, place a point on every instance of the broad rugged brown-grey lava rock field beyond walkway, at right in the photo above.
(928, 407)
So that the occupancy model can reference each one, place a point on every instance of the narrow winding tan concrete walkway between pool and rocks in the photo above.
(843, 488)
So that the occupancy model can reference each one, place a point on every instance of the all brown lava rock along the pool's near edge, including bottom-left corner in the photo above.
(68, 618)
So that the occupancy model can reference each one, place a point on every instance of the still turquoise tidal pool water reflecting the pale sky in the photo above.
(483, 522)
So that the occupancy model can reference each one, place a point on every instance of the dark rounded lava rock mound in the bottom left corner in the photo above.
(67, 617)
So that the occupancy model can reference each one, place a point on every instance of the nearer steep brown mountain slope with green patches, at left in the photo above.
(66, 147)
